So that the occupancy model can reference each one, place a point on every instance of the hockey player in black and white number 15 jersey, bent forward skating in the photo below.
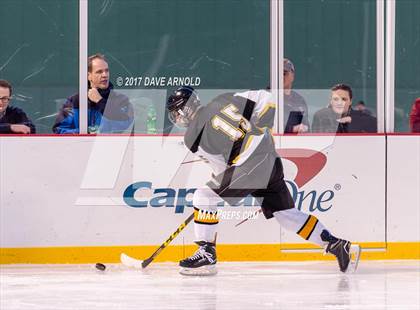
(232, 132)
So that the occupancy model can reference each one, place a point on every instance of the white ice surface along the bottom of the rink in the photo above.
(284, 285)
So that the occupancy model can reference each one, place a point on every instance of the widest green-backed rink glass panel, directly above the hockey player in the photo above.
(226, 44)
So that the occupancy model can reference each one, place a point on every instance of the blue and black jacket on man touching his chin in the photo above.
(112, 114)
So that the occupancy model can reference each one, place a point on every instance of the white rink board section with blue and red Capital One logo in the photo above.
(104, 191)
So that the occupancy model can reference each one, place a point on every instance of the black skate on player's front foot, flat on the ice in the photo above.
(203, 262)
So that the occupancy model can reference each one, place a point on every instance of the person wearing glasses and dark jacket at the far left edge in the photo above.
(12, 119)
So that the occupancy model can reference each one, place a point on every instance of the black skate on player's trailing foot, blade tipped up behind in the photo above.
(342, 250)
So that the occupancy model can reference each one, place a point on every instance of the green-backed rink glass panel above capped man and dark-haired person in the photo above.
(331, 42)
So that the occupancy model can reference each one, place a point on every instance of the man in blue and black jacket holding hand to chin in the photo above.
(108, 111)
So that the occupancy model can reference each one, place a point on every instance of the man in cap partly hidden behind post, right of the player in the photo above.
(295, 108)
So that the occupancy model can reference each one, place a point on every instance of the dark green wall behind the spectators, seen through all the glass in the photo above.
(226, 43)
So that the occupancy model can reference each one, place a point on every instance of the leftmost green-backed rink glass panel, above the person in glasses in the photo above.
(39, 55)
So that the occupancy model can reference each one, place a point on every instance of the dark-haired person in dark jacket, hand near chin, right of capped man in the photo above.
(339, 117)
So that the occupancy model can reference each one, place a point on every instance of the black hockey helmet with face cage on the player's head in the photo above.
(181, 105)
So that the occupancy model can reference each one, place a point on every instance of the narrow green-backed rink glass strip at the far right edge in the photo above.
(407, 61)
